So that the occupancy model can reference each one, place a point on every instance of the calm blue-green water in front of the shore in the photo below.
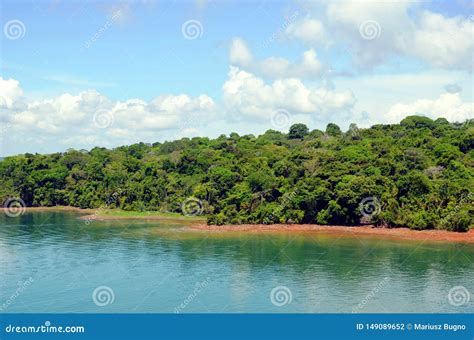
(53, 262)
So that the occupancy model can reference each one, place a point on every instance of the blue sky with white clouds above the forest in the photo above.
(80, 74)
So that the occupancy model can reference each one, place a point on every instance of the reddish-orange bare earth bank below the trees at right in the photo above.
(364, 231)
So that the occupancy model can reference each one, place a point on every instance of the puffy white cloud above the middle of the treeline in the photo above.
(247, 95)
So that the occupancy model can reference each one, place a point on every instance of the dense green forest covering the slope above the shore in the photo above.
(418, 173)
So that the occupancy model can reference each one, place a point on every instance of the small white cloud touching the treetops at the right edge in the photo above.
(448, 105)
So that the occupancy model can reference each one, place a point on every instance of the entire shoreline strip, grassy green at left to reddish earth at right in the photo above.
(354, 231)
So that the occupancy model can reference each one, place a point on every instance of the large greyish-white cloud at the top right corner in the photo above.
(374, 31)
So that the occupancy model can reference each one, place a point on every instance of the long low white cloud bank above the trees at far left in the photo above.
(90, 118)
